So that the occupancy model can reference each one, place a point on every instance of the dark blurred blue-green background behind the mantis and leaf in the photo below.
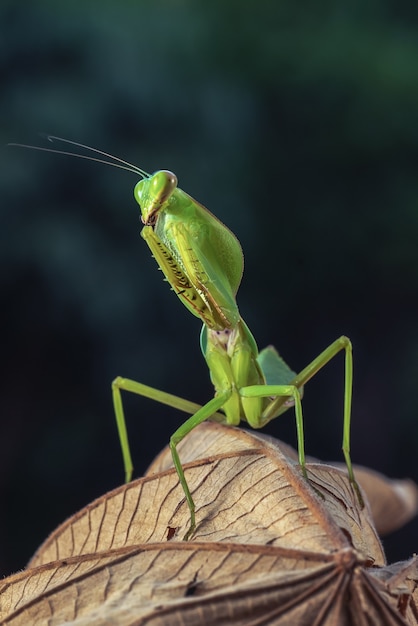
(297, 125)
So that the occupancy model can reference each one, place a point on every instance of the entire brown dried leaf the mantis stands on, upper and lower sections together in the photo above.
(268, 550)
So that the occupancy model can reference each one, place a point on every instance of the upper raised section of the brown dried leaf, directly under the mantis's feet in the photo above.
(248, 493)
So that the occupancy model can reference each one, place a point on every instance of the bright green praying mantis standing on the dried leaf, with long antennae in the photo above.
(202, 260)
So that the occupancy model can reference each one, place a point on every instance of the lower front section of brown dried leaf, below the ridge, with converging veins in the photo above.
(212, 584)
